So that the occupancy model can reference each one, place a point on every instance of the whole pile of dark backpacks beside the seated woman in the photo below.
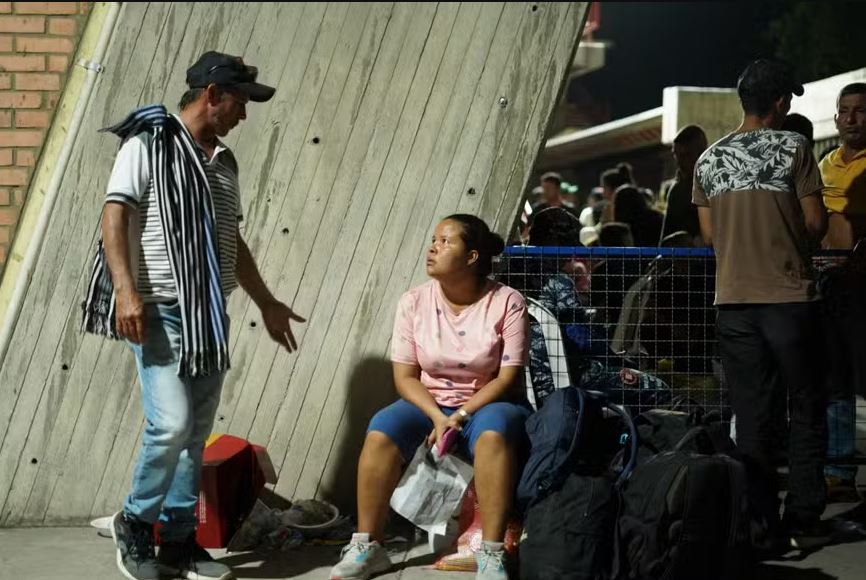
(608, 497)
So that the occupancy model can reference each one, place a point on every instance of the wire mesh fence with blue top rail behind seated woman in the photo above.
(638, 322)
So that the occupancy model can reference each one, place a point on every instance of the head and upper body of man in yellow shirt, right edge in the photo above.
(844, 172)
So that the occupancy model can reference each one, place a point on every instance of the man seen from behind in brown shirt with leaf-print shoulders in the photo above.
(758, 192)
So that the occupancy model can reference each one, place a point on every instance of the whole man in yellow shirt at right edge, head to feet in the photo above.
(844, 173)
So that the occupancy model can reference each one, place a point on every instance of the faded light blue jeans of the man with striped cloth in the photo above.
(179, 414)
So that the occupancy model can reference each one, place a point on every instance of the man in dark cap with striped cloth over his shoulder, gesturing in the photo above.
(170, 255)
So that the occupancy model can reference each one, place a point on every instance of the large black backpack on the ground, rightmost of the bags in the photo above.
(684, 512)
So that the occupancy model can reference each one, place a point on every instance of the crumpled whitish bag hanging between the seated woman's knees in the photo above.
(431, 490)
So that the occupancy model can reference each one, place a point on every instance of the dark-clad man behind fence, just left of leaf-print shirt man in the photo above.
(680, 214)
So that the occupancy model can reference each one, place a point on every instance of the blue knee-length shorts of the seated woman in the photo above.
(407, 426)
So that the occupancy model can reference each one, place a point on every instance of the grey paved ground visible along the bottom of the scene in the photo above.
(80, 554)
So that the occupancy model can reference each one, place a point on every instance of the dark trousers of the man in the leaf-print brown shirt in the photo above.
(776, 347)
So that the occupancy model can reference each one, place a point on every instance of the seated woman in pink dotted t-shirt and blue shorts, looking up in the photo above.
(458, 350)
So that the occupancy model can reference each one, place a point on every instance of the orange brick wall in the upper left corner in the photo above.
(37, 45)
